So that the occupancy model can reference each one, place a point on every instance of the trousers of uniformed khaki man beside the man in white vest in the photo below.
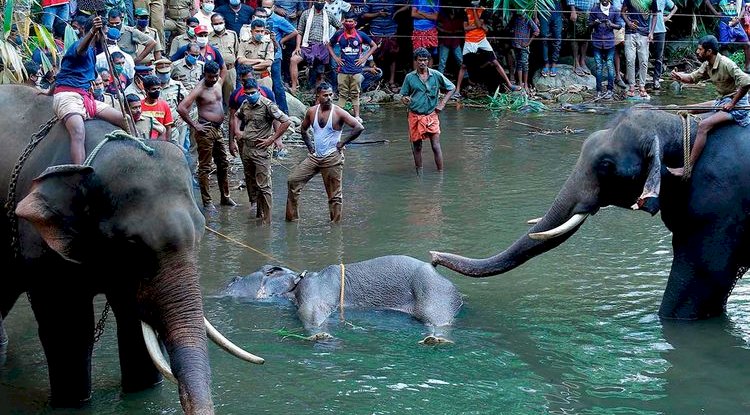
(257, 165)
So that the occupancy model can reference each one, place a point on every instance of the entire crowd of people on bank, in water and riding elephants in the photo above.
(231, 63)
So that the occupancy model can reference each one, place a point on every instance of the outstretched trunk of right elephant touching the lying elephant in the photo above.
(560, 222)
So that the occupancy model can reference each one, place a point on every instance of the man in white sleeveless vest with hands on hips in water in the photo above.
(326, 155)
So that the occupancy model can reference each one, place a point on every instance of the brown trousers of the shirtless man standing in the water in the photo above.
(211, 147)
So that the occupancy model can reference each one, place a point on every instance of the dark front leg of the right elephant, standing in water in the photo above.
(704, 270)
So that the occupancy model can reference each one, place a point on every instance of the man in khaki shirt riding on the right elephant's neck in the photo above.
(730, 81)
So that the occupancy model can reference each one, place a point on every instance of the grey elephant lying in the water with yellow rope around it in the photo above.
(394, 282)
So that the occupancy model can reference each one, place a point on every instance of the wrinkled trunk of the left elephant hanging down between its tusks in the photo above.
(178, 317)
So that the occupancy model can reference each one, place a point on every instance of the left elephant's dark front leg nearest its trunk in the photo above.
(136, 368)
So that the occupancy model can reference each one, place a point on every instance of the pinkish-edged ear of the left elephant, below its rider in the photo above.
(56, 205)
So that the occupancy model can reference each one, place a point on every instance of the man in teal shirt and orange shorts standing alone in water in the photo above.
(420, 93)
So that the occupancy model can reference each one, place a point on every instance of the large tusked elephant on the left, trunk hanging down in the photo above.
(126, 225)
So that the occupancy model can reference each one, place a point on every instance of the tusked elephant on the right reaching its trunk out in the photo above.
(625, 165)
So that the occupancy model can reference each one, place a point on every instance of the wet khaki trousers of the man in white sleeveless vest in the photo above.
(331, 168)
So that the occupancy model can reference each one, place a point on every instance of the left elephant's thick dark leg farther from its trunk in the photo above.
(66, 327)
